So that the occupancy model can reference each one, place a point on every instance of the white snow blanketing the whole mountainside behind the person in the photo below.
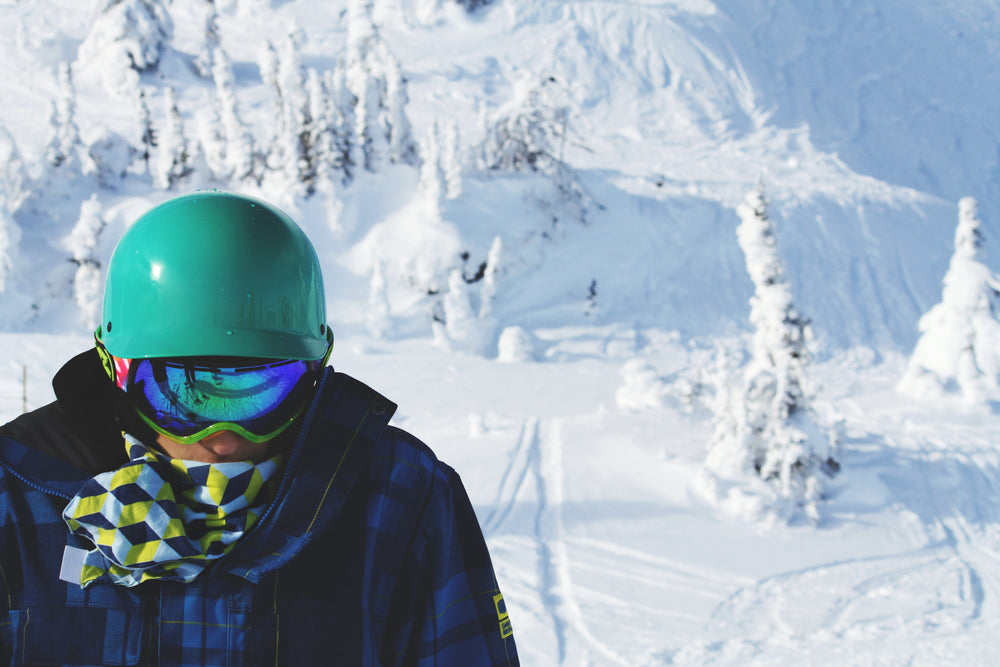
(578, 404)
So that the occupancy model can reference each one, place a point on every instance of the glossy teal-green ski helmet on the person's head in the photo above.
(214, 274)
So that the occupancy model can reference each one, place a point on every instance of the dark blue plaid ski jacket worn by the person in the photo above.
(370, 554)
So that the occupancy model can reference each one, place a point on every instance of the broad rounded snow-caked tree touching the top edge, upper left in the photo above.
(126, 37)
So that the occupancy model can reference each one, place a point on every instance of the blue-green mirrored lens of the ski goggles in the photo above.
(187, 397)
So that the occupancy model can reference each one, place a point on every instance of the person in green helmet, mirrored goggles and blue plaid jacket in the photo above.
(203, 491)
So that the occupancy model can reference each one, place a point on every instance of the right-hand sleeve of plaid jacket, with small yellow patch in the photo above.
(461, 615)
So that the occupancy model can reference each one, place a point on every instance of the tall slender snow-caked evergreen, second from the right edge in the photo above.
(768, 427)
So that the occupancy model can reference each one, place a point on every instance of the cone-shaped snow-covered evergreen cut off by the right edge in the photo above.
(959, 347)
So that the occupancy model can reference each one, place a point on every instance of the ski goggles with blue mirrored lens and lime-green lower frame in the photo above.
(190, 398)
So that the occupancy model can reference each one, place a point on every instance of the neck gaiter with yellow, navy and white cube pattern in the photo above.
(162, 518)
